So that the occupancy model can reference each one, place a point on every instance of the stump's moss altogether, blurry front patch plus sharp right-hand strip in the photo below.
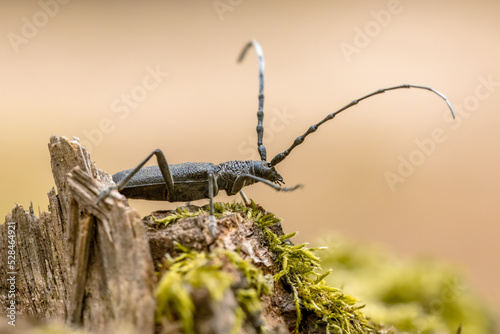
(300, 270)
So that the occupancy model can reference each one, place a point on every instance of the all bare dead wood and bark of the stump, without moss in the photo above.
(93, 266)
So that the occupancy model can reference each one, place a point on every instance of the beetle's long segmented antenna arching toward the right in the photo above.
(281, 156)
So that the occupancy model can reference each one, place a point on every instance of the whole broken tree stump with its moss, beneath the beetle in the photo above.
(97, 266)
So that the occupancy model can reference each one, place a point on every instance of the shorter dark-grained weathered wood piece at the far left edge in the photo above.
(40, 273)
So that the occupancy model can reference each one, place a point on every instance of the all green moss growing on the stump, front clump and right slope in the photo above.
(299, 268)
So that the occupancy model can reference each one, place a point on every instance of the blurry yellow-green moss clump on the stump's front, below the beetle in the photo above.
(192, 270)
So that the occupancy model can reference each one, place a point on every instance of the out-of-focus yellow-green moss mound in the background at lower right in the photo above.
(415, 296)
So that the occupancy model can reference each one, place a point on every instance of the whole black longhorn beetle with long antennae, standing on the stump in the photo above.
(197, 180)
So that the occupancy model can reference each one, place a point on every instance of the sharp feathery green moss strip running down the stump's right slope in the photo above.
(301, 270)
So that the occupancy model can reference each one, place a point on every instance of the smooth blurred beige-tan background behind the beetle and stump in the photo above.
(128, 77)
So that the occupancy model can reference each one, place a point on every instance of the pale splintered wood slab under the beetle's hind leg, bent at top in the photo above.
(120, 279)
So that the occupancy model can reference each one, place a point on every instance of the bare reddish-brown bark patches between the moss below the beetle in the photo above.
(236, 233)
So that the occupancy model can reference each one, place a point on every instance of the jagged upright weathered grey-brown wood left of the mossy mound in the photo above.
(81, 263)
